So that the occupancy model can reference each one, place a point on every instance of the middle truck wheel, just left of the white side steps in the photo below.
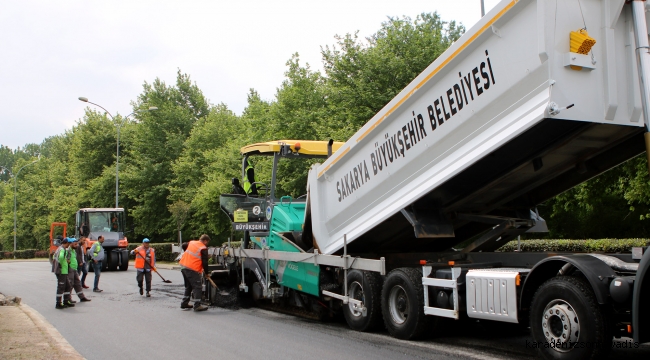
(402, 304)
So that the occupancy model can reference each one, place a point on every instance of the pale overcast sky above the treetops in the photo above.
(52, 52)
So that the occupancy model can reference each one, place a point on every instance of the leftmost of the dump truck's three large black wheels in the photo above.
(364, 286)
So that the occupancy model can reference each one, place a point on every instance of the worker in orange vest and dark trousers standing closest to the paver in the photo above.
(194, 263)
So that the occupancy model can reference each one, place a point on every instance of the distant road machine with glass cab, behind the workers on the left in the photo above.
(109, 223)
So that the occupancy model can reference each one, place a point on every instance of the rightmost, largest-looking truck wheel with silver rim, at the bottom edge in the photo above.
(564, 311)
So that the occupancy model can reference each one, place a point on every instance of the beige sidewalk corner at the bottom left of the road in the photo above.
(26, 334)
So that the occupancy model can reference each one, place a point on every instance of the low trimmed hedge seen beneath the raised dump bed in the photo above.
(579, 246)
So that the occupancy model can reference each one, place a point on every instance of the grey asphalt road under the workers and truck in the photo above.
(119, 323)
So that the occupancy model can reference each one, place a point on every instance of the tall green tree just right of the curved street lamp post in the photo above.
(153, 145)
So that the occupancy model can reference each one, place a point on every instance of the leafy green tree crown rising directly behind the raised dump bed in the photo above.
(362, 77)
